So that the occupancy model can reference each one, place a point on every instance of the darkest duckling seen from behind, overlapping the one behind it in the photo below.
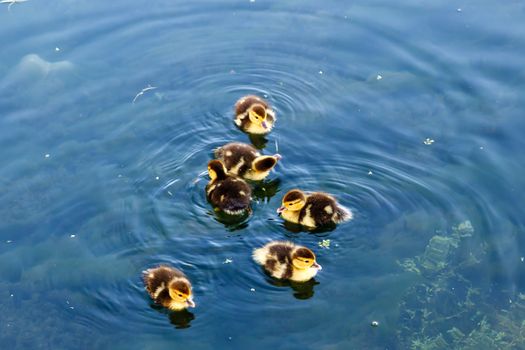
(225, 192)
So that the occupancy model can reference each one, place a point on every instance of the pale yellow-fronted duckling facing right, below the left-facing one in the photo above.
(287, 261)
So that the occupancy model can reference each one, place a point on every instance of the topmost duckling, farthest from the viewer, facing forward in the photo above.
(254, 115)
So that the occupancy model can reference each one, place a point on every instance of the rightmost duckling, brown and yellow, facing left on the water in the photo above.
(312, 210)
